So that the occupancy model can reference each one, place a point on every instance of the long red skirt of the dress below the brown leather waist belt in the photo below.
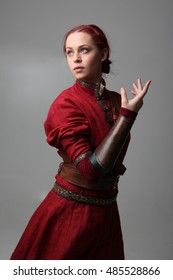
(62, 229)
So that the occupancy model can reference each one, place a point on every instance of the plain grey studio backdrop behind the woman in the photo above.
(34, 72)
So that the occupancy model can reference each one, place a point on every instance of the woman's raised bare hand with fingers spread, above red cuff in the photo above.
(138, 92)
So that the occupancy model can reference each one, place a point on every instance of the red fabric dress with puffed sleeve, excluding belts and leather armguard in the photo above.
(63, 229)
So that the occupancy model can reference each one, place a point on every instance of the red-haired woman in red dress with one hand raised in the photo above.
(90, 127)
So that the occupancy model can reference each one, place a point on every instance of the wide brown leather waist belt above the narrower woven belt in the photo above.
(71, 174)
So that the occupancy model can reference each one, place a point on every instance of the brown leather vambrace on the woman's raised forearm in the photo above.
(106, 154)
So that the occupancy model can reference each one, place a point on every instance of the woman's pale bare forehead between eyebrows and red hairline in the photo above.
(77, 38)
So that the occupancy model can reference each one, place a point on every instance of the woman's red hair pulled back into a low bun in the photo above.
(98, 38)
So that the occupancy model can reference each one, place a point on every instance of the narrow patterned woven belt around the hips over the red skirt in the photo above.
(81, 198)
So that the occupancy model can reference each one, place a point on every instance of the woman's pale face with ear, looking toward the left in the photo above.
(84, 58)
